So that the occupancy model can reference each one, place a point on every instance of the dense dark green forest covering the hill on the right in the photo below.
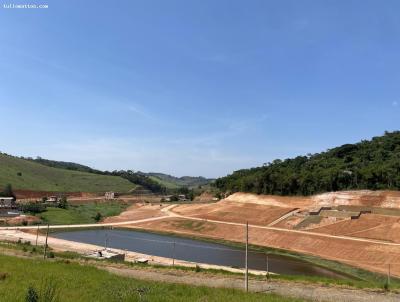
(373, 165)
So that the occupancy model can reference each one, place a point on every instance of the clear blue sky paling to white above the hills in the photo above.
(196, 87)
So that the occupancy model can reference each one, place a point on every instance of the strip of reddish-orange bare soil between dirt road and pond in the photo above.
(368, 255)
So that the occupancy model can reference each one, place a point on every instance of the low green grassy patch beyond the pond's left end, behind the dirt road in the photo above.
(80, 214)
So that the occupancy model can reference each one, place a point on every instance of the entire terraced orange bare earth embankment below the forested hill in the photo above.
(225, 220)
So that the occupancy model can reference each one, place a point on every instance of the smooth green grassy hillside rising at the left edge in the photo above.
(37, 177)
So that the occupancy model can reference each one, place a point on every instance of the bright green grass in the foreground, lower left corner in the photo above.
(76, 282)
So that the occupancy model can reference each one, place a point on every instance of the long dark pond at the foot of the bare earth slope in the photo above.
(194, 250)
